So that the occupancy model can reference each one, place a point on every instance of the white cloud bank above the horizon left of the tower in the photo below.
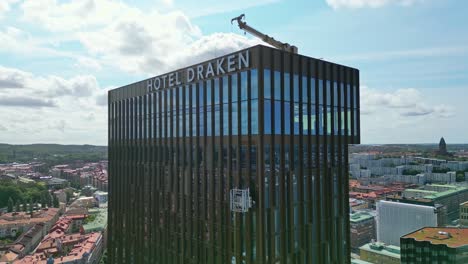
(52, 109)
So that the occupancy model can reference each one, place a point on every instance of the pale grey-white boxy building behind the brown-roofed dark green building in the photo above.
(395, 219)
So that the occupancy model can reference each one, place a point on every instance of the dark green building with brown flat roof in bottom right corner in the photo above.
(435, 245)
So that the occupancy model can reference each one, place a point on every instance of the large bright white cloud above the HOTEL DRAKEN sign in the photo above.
(144, 42)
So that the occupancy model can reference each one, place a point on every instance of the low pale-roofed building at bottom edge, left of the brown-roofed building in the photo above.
(380, 253)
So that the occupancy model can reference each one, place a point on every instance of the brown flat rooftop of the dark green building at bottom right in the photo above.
(451, 237)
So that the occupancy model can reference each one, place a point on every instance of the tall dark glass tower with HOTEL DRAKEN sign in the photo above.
(275, 123)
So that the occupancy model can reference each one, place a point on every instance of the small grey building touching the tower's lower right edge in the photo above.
(363, 229)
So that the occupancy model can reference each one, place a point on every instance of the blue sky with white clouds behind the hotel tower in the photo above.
(58, 58)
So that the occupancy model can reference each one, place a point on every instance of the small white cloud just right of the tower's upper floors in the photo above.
(406, 102)
